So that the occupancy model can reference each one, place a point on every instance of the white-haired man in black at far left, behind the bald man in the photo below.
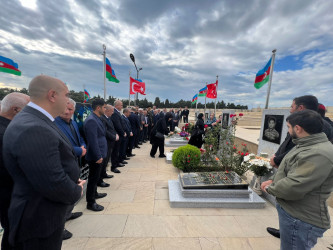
(11, 105)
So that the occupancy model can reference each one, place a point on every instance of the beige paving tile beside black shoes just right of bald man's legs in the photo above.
(98, 225)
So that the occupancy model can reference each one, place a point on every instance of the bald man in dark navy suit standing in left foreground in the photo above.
(43, 166)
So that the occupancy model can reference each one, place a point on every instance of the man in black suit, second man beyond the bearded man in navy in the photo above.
(116, 161)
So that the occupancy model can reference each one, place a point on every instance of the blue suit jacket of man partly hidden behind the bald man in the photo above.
(63, 126)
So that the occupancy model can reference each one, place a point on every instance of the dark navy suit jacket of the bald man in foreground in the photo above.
(43, 165)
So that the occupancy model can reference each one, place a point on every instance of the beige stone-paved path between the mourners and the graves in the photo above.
(137, 216)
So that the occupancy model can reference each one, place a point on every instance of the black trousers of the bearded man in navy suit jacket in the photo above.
(94, 174)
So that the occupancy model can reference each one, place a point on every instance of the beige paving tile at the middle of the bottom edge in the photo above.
(176, 243)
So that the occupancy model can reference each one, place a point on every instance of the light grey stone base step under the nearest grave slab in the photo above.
(177, 200)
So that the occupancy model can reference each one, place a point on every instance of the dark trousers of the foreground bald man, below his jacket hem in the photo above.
(53, 242)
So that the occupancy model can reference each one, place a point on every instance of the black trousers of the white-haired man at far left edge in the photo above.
(5, 195)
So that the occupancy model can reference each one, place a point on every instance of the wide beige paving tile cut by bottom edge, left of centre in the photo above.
(119, 243)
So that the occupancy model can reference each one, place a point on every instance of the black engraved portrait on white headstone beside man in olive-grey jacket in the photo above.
(273, 128)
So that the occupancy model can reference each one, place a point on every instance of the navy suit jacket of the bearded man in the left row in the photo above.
(96, 138)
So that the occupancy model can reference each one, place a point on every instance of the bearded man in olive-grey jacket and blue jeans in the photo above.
(303, 183)
